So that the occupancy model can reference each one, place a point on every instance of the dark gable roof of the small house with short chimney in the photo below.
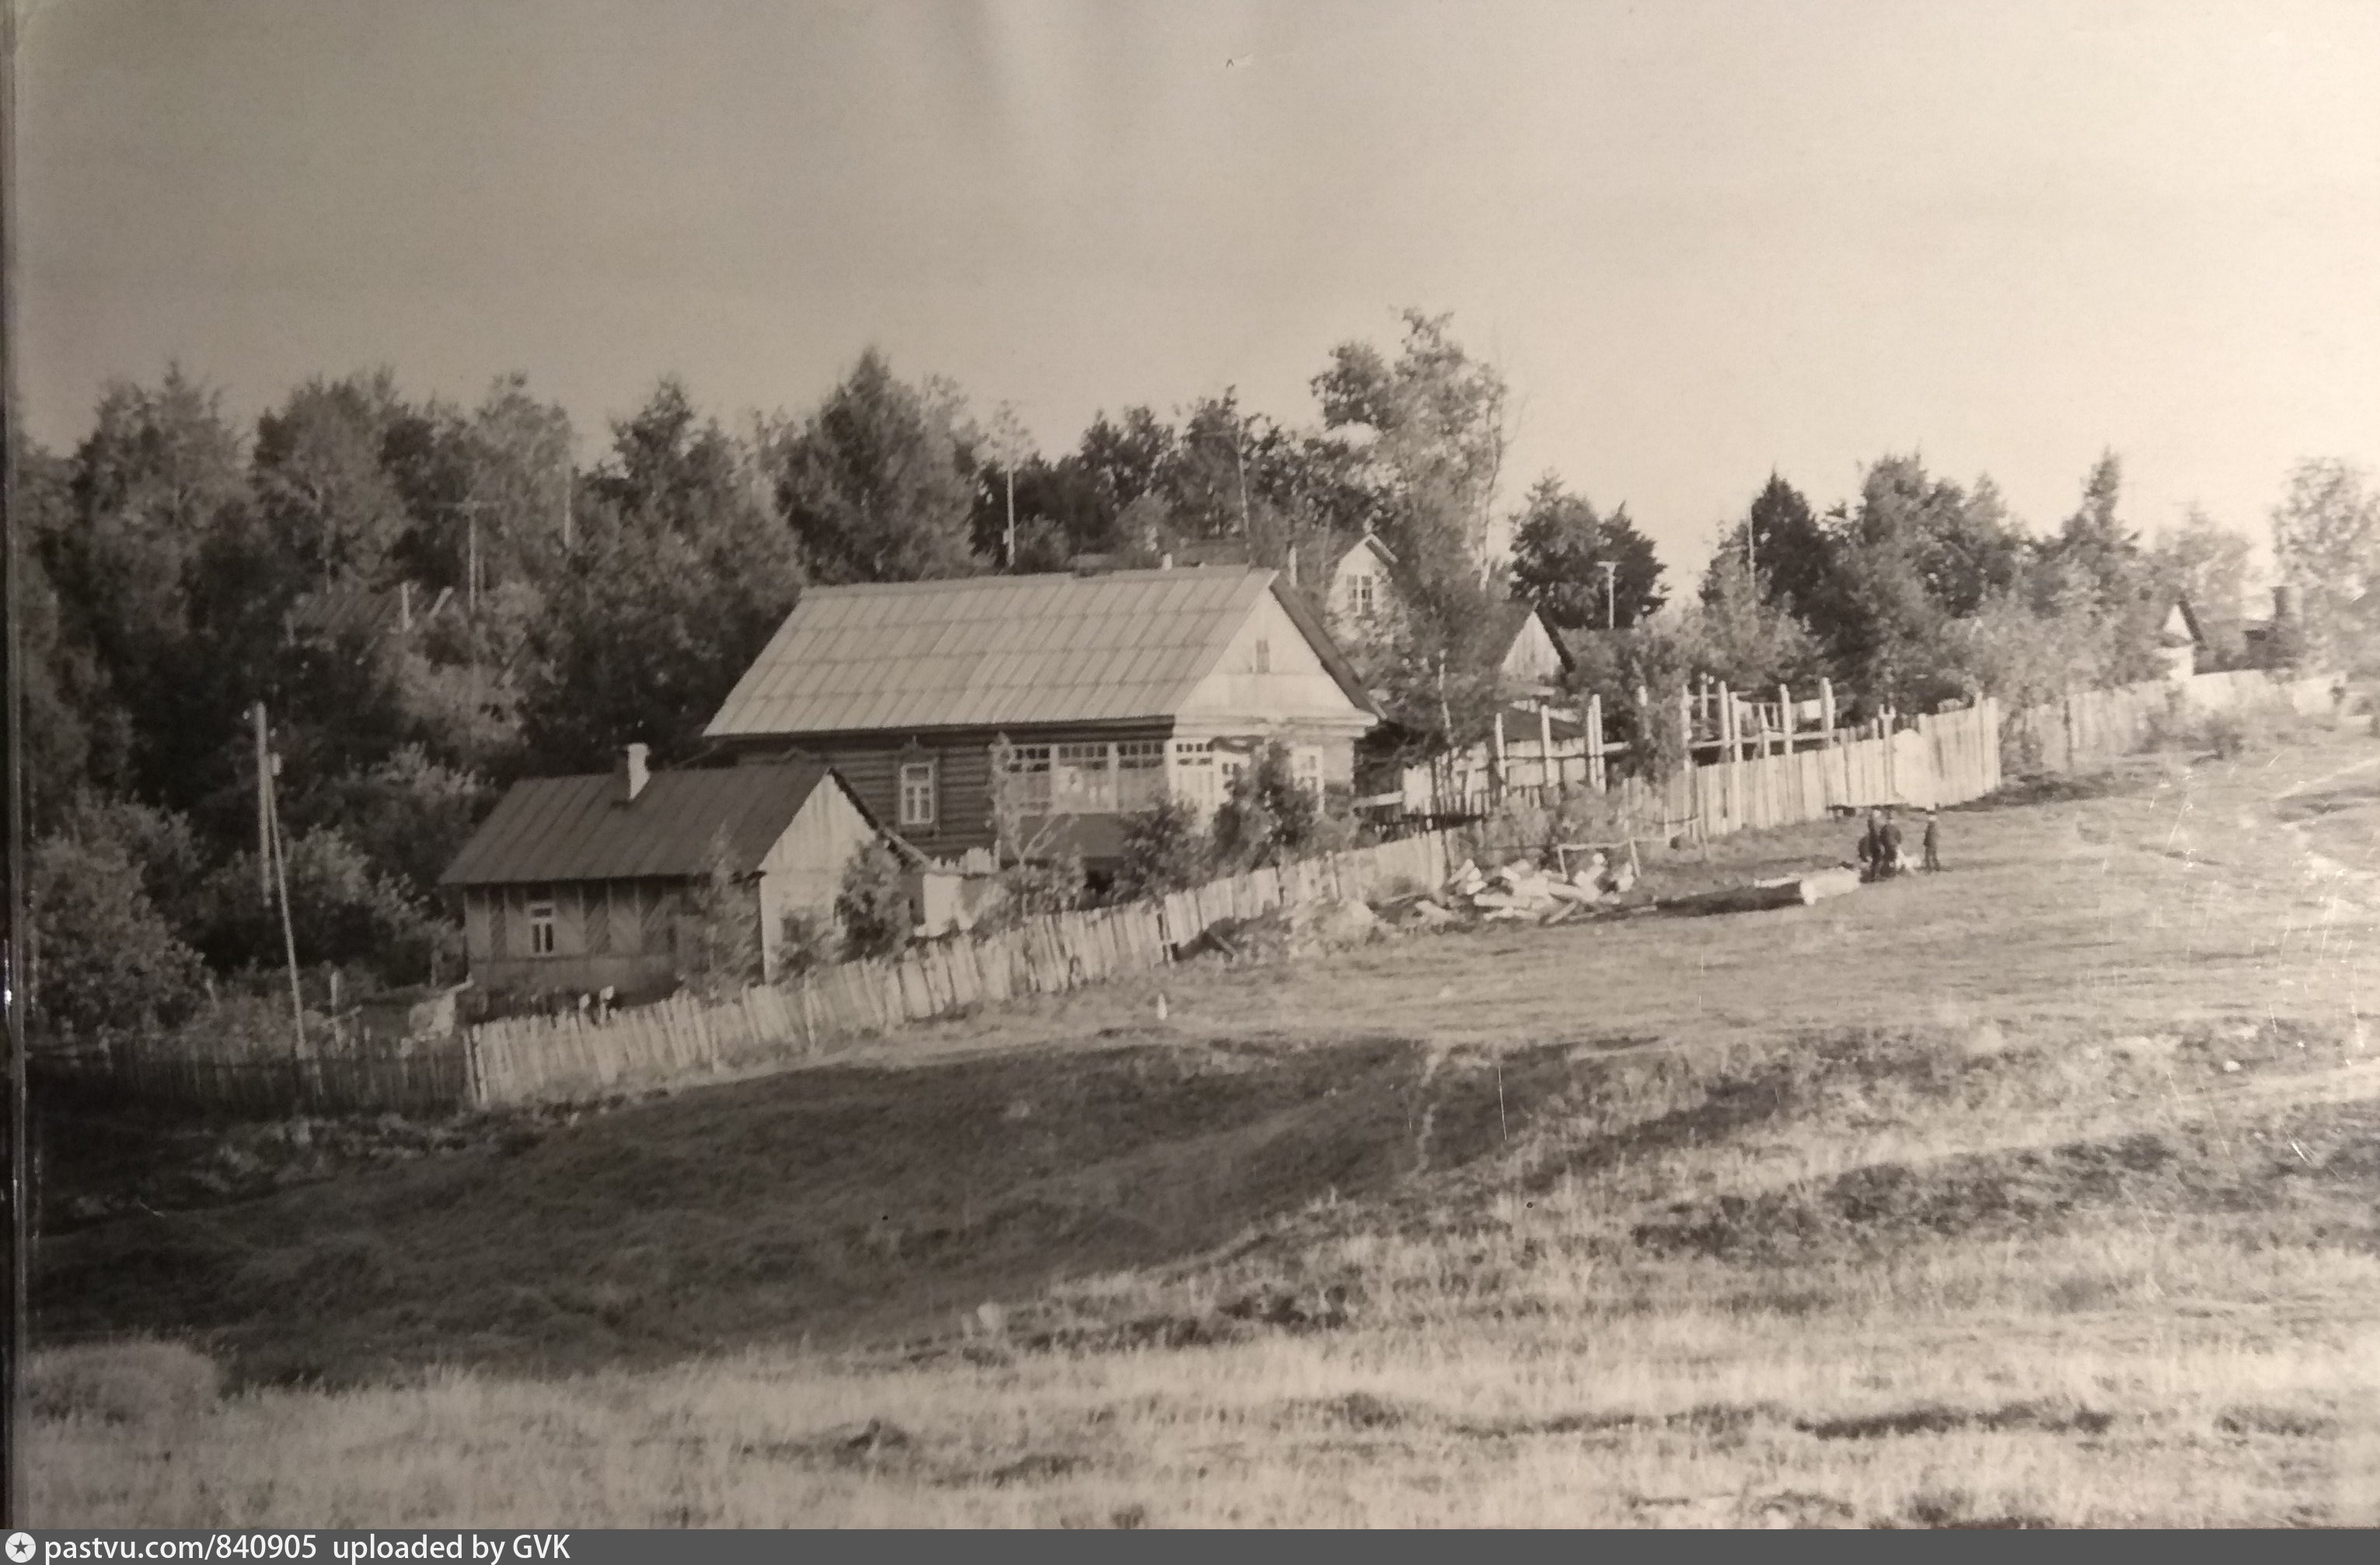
(577, 829)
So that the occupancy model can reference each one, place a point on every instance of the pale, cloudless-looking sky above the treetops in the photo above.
(1701, 239)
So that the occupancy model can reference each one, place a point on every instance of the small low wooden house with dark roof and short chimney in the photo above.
(582, 884)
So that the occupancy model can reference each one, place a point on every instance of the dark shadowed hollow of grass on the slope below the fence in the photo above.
(841, 1205)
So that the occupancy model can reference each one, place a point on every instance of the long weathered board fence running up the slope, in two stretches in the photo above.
(1943, 760)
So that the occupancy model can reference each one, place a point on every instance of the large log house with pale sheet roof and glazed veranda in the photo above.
(1101, 693)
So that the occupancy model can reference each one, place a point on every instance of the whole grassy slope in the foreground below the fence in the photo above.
(2036, 1193)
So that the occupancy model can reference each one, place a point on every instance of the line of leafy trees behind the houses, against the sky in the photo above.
(182, 567)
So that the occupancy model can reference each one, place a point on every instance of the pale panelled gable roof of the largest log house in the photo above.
(1006, 650)
